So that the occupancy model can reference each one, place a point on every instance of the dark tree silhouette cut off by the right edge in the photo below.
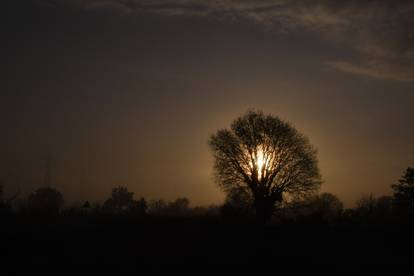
(404, 192)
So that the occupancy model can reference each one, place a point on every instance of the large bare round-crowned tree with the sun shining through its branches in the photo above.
(268, 158)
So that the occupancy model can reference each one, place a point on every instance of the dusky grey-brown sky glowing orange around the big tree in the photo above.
(128, 92)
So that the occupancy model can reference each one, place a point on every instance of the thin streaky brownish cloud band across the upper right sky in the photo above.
(378, 32)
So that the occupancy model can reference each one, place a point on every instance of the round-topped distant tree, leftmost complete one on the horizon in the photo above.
(46, 201)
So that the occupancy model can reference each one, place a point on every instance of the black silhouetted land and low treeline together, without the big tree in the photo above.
(132, 234)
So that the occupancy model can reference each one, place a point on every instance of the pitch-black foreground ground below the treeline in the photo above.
(120, 245)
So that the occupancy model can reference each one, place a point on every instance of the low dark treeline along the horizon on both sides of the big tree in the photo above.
(322, 208)
